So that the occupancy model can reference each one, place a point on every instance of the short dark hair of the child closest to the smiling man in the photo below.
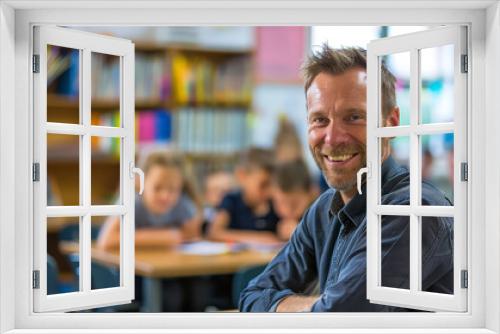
(292, 175)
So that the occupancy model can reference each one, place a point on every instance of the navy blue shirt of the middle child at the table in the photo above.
(242, 217)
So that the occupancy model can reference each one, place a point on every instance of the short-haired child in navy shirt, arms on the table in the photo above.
(247, 215)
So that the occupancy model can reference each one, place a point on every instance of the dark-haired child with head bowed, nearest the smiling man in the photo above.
(293, 192)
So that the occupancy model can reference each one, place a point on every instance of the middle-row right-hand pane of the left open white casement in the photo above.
(105, 172)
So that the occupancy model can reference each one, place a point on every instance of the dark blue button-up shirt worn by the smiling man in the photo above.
(328, 248)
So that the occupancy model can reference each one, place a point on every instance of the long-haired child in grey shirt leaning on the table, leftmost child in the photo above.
(167, 213)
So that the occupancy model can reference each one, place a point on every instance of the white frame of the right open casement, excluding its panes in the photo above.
(455, 36)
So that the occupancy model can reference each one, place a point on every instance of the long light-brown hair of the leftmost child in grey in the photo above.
(173, 160)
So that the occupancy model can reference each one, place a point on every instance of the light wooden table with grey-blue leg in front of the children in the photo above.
(154, 264)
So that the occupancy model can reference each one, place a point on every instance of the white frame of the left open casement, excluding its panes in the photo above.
(85, 43)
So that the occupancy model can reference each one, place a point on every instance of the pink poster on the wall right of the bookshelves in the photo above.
(279, 55)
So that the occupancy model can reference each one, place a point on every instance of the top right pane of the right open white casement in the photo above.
(436, 91)
